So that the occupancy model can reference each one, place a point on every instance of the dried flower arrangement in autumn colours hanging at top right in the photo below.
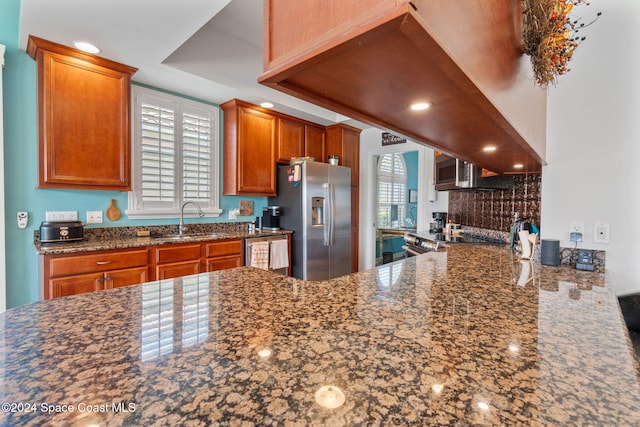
(551, 37)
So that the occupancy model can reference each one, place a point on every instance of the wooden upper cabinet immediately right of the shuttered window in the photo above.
(249, 150)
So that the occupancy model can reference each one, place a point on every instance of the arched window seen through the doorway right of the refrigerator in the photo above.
(392, 190)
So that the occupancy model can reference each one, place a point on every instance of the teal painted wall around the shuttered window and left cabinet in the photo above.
(21, 171)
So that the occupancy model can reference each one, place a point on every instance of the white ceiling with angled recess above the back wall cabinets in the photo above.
(207, 49)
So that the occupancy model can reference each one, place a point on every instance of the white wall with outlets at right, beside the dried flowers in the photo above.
(593, 141)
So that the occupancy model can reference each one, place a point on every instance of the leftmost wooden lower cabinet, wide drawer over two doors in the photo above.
(72, 274)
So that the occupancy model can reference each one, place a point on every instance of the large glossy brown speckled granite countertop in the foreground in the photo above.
(471, 336)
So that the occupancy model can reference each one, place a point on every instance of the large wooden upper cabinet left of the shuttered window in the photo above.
(83, 113)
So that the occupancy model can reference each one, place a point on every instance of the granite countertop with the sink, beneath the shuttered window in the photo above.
(97, 239)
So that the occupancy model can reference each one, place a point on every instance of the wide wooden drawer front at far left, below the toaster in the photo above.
(103, 261)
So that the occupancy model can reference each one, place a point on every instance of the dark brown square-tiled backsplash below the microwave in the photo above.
(494, 209)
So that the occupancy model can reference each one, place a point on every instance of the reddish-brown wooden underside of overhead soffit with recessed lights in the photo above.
(375, 71)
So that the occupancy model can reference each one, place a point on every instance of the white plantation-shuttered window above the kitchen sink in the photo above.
(175, 155)
